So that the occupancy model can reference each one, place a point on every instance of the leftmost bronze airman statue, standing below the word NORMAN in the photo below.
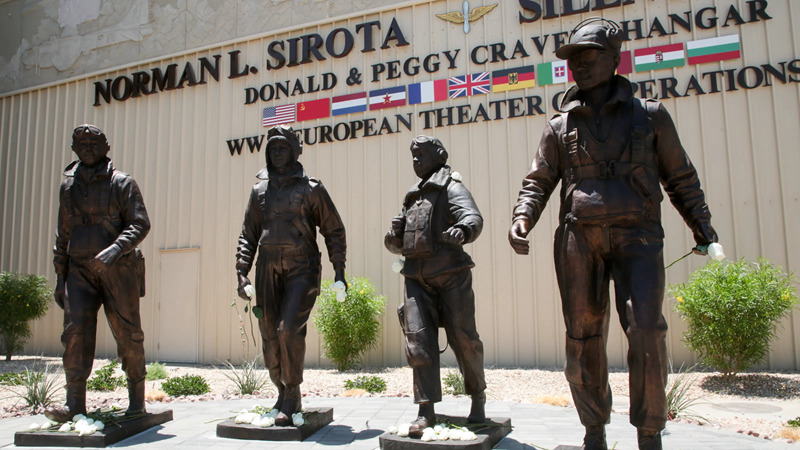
(101, 220)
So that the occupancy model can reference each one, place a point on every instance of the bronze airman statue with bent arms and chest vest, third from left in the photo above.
(439, 216)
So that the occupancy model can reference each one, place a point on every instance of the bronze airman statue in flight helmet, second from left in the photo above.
(283, 213)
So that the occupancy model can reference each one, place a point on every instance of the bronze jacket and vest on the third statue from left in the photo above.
(430, 208)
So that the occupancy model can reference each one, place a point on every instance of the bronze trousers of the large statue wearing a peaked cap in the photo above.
(586, 258)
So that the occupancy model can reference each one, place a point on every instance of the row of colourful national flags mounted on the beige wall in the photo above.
(639, 60)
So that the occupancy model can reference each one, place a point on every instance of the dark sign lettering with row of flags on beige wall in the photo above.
(393, 84)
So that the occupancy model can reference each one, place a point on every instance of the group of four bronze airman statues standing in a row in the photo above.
(611, 152)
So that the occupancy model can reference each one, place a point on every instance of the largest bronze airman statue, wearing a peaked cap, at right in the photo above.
(612, 153)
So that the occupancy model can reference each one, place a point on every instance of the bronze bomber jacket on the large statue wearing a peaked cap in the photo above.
(563, 148)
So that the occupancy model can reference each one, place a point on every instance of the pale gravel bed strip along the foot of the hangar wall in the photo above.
(545, 385)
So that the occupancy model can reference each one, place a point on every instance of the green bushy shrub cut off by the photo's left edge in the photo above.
(22, 298)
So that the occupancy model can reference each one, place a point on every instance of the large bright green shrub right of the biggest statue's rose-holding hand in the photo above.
(732, 310)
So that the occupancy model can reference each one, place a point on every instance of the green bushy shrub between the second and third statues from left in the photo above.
(350, 328)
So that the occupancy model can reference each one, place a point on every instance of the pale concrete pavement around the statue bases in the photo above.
(359, 421)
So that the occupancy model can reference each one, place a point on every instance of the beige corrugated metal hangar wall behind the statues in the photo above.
(744, 144)
